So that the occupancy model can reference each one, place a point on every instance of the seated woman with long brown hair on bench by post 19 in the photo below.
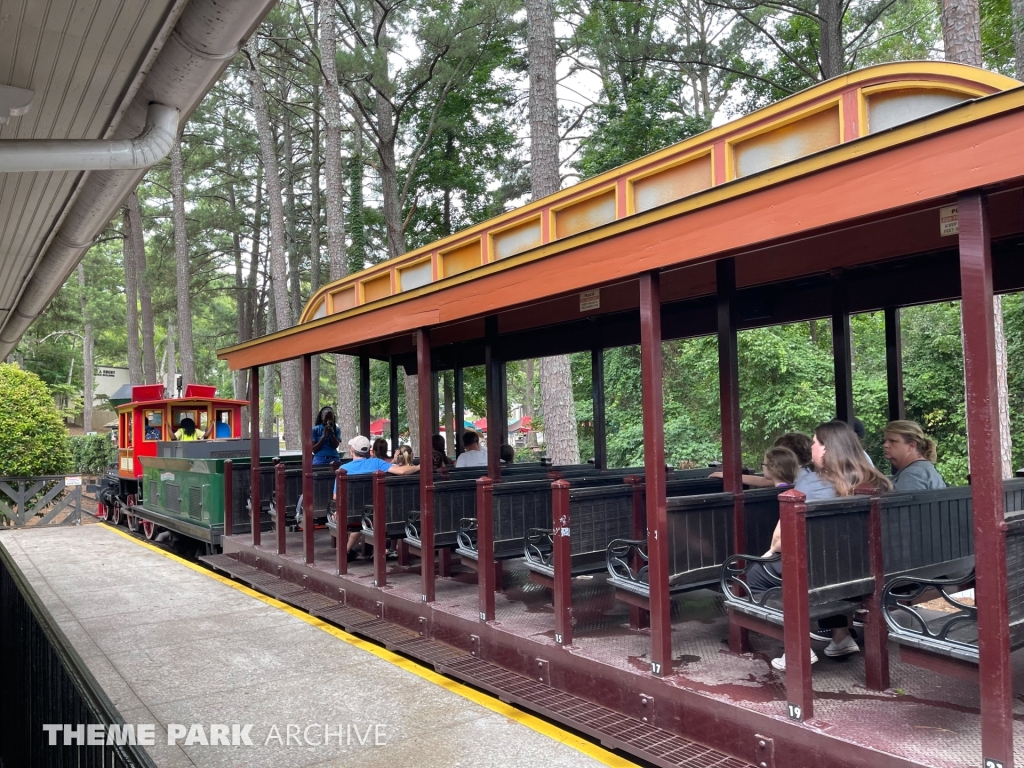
(840, 470)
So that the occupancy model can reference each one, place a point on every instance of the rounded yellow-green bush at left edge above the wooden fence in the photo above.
(33, 438)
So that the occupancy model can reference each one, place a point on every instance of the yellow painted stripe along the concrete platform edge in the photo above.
(484, 700)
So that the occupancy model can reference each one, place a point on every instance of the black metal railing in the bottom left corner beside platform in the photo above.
(46, 682)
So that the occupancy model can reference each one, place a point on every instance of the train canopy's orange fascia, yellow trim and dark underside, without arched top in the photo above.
(870, 207)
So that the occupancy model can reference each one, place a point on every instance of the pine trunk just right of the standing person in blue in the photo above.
(334, 176)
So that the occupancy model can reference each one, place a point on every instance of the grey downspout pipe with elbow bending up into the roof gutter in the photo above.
(22, 156)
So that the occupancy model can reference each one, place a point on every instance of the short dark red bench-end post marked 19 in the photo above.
(796, 609)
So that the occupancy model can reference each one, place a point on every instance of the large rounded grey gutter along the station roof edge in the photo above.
(206, 38)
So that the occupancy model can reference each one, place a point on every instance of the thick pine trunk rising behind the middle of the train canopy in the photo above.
(557, 375)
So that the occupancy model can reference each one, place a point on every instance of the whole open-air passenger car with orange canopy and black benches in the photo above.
(890, 187)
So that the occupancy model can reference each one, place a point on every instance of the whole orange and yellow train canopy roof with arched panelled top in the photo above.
(855, 172)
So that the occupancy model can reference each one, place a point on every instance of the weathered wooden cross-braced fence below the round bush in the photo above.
(50, 500)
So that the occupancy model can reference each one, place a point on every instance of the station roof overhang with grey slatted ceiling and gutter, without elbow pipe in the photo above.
(92, 69)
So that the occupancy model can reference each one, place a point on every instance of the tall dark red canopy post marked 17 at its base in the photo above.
(654, 429)
